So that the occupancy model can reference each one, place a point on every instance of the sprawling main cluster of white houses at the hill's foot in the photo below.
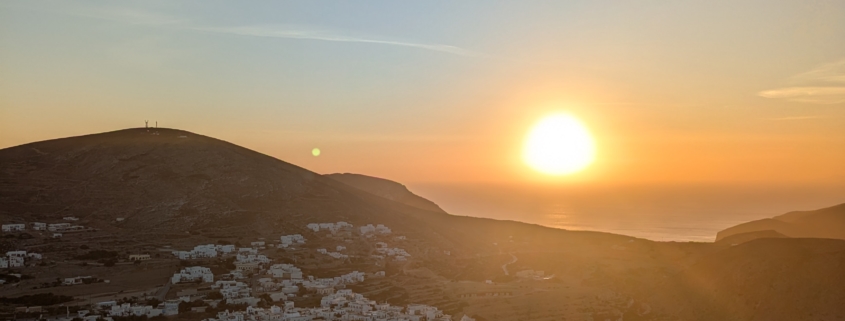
(282, 282)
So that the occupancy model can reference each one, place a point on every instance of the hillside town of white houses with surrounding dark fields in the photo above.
(290, 278)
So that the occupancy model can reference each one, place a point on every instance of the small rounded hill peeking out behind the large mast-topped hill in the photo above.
(385, 188)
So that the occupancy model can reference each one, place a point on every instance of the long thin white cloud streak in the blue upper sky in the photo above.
(280, 32)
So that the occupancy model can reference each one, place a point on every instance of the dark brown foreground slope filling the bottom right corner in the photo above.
(764, 279)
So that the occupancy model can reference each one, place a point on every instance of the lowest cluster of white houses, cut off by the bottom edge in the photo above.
(343, 305)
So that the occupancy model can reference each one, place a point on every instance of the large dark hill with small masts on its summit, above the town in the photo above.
(171, 182)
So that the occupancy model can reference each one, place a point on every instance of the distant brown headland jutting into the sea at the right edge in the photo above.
(822, 223)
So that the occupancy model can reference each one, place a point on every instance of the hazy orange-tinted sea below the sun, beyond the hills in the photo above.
(683, 213)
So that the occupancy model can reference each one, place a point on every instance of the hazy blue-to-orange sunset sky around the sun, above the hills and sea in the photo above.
(444, 91)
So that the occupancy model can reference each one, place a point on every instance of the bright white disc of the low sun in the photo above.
(559, 144)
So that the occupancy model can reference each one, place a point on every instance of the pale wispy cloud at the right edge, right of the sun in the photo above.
(824, 84)
